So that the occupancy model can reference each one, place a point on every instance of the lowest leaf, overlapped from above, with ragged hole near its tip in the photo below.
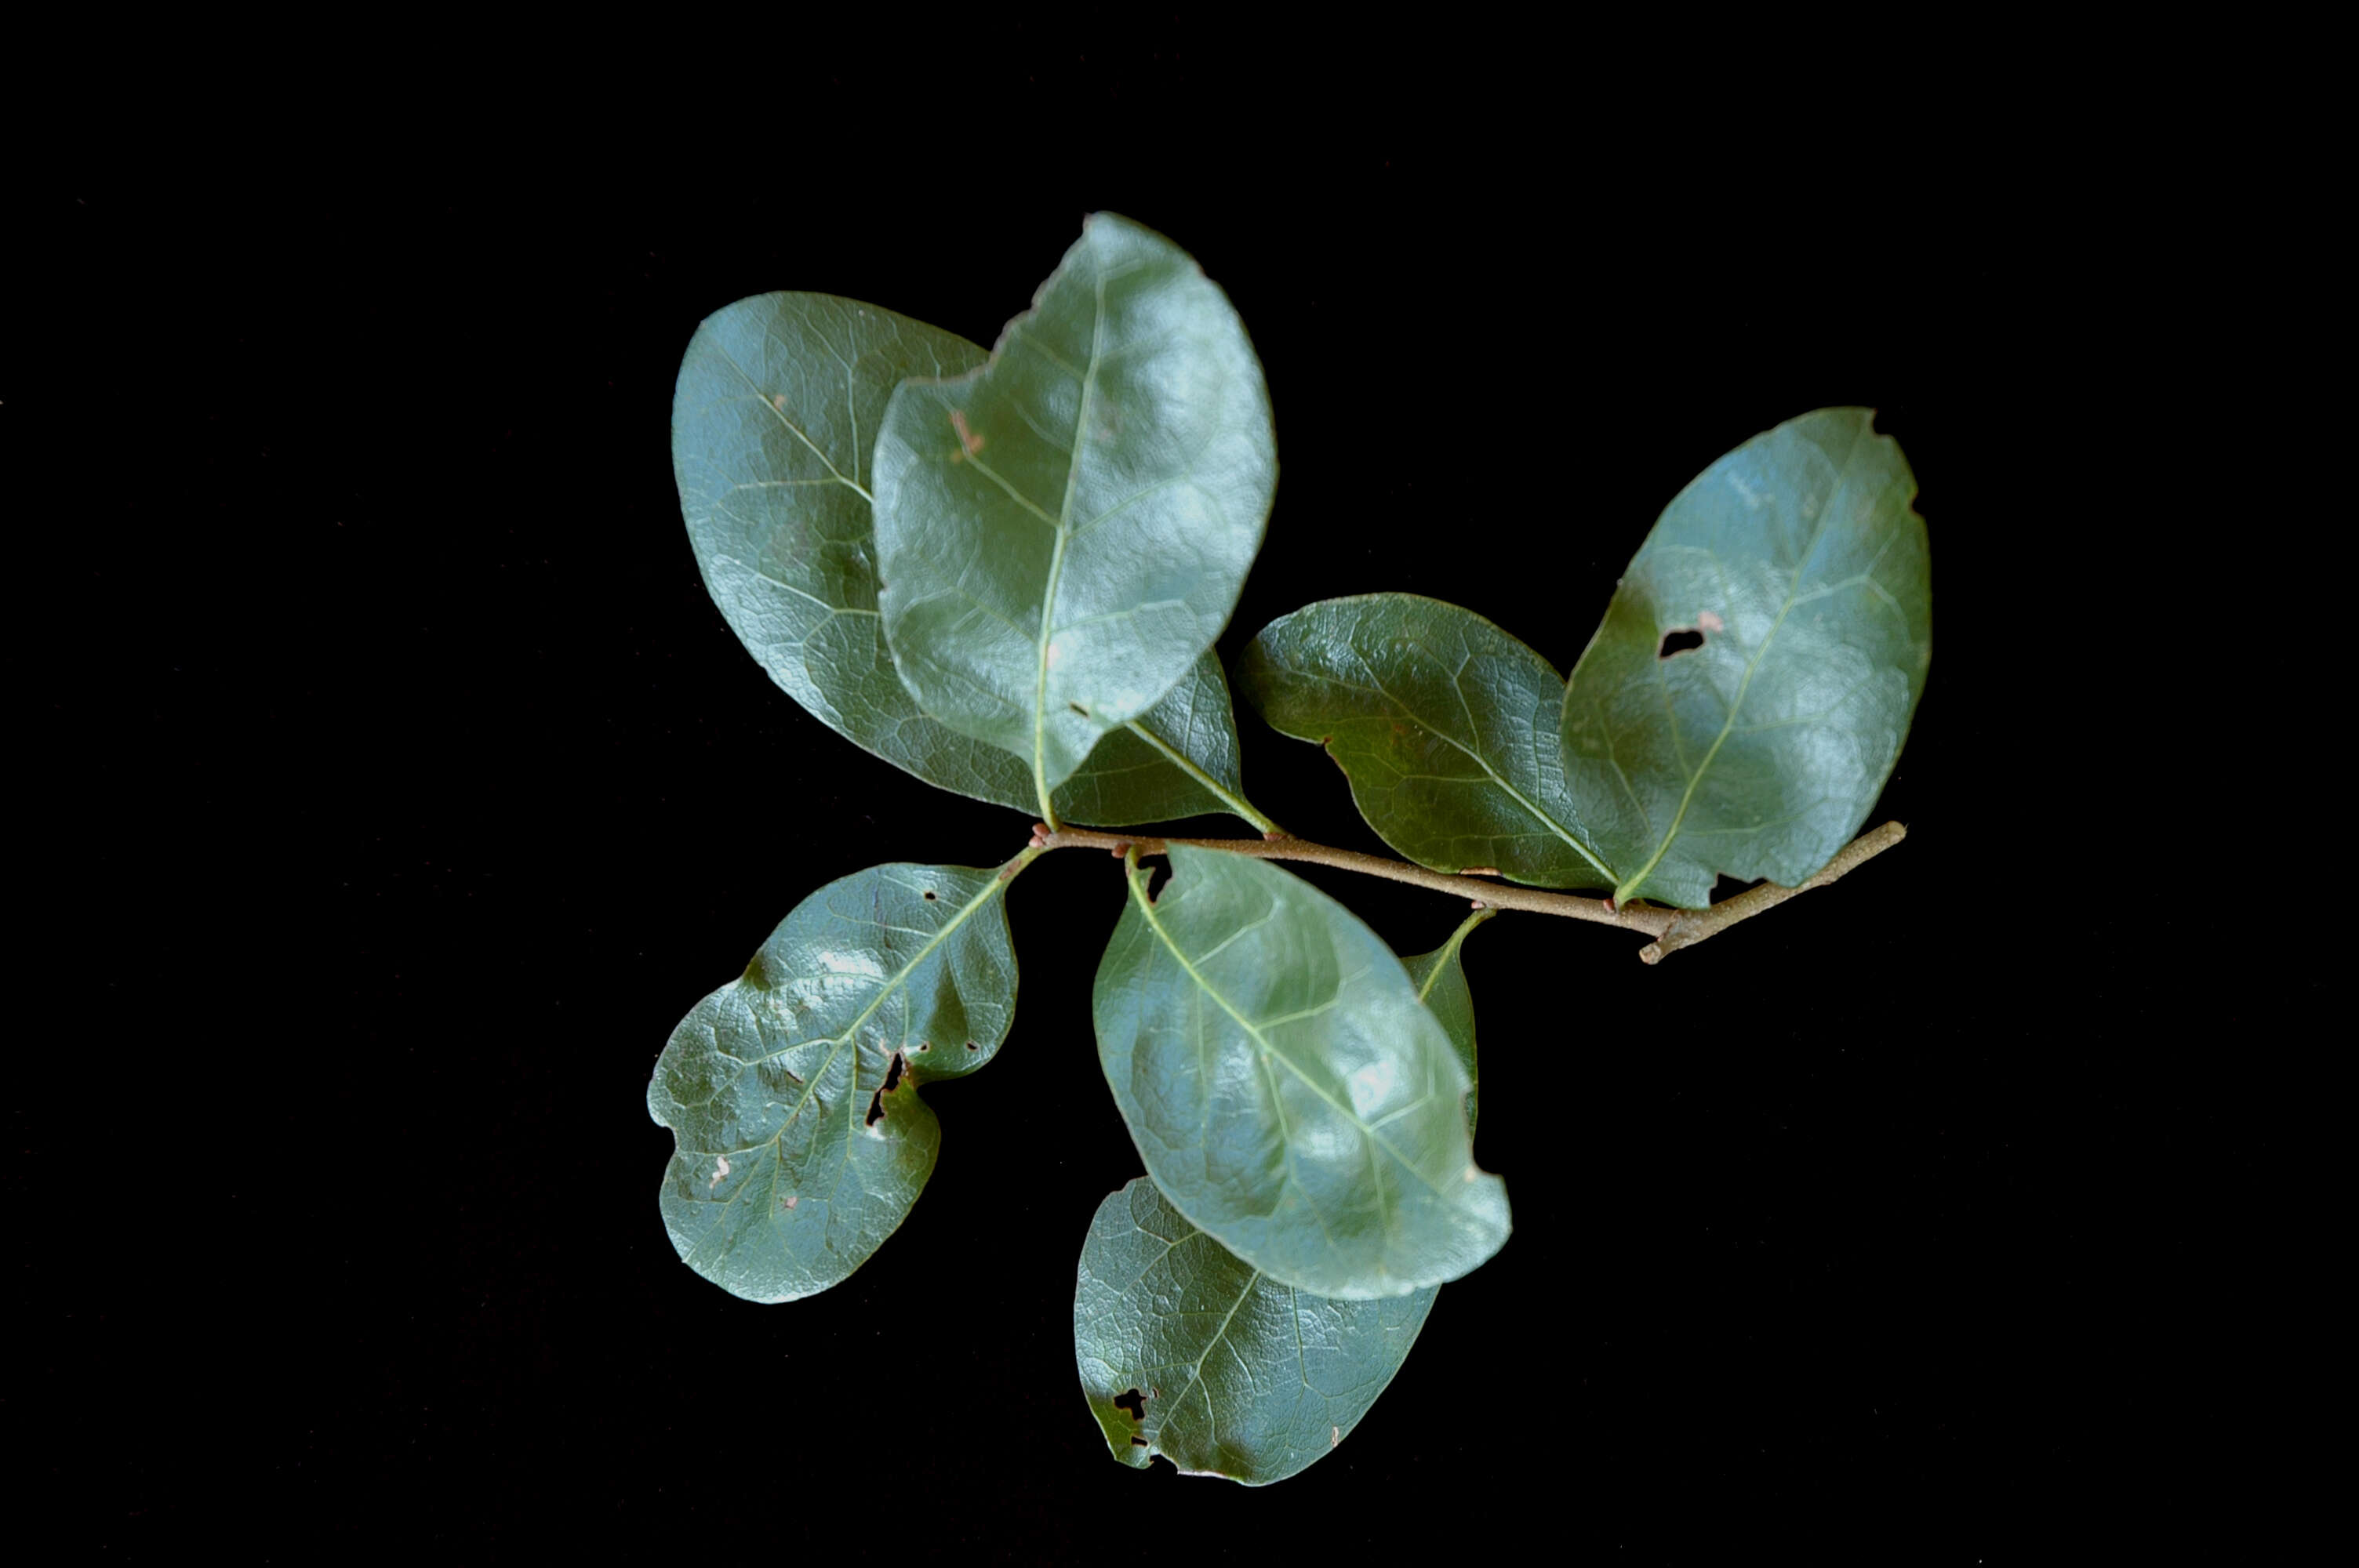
(1192, 1355)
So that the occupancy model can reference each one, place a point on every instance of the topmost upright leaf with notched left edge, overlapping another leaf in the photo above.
(1065, 532)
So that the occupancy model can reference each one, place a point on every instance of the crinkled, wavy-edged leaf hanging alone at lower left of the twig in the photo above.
(794, 1091)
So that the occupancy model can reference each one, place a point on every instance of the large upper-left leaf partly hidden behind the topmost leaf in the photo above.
(773, 423)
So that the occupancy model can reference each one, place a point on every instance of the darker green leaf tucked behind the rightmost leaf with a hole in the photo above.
(1443, 723)
